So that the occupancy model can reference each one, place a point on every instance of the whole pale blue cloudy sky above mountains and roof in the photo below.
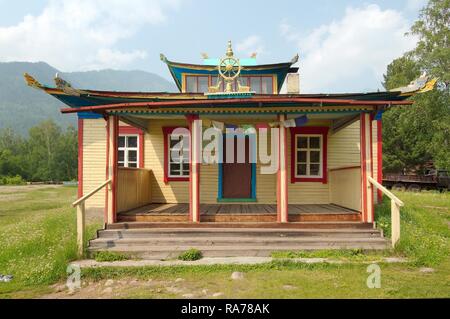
(344, 46)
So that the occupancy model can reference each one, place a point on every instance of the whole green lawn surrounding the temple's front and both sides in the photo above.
(37, 240)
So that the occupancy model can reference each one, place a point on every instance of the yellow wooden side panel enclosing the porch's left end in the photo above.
(133, 188)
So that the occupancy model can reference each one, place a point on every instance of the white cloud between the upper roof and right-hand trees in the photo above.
(350, 54)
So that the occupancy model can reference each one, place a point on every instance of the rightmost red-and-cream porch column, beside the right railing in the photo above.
(366, 167)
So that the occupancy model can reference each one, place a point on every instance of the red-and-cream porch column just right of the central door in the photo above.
(282, 182)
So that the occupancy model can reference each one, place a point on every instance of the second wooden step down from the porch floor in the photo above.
(230, 233)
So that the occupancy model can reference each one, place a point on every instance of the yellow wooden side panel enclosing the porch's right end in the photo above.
(345, 189)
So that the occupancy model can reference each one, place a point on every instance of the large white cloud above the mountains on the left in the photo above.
(82, 34)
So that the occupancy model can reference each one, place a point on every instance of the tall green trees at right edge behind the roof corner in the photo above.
(414, 135)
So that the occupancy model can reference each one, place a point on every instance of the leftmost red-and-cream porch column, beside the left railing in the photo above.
(112, 134)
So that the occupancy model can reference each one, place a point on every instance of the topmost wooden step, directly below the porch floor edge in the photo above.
(234, 225)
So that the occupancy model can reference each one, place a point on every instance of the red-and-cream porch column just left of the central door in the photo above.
(195, 130)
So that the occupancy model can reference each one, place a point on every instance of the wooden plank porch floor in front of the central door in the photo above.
(239, 213)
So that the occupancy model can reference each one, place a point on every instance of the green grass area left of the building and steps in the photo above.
(38, 238)
